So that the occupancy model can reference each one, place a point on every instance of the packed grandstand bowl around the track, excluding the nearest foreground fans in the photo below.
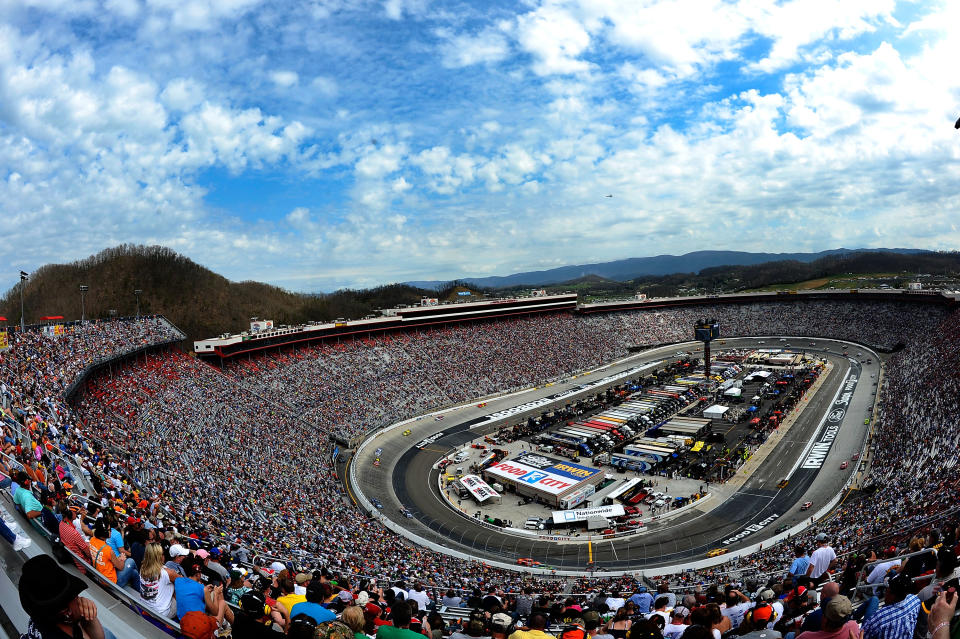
(239, 458)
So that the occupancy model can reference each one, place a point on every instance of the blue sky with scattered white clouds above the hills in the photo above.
(318, 145)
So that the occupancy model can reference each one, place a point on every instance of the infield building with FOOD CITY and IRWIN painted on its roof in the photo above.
(555, 482)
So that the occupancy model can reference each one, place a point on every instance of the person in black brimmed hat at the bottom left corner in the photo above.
(50, 597)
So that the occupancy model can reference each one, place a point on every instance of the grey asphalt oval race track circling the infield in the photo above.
(406, 476)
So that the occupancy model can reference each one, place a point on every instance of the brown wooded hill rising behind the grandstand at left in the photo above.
(194, 298)
